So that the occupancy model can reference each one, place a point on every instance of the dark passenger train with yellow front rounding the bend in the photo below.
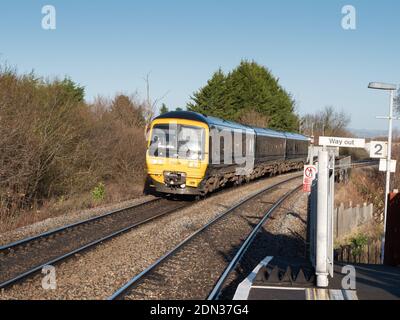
(194, 154)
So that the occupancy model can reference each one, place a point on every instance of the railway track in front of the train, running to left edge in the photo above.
(24, 258)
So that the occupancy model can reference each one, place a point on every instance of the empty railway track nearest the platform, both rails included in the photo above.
(193, 268)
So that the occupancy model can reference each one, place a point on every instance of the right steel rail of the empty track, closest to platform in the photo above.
(243, 249)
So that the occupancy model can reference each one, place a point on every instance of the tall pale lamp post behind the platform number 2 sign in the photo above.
(392, 88)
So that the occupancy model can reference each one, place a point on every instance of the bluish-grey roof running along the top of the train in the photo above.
(210, 121)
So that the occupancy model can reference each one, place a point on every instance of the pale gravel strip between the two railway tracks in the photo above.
(97, 273)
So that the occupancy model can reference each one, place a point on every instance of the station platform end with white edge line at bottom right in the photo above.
(277, 278)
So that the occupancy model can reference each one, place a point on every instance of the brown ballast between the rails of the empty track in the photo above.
(192, 272)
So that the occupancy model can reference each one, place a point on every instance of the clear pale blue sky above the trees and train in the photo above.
(110, 46)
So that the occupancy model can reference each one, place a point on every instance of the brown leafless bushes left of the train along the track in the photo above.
(55, 147)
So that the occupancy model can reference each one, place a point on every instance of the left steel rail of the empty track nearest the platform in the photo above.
(139, 277)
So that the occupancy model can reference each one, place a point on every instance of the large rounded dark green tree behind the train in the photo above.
(250, 88)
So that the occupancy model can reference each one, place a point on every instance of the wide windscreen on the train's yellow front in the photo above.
(177, 141)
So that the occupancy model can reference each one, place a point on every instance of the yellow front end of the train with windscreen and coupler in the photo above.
(177, 156)
